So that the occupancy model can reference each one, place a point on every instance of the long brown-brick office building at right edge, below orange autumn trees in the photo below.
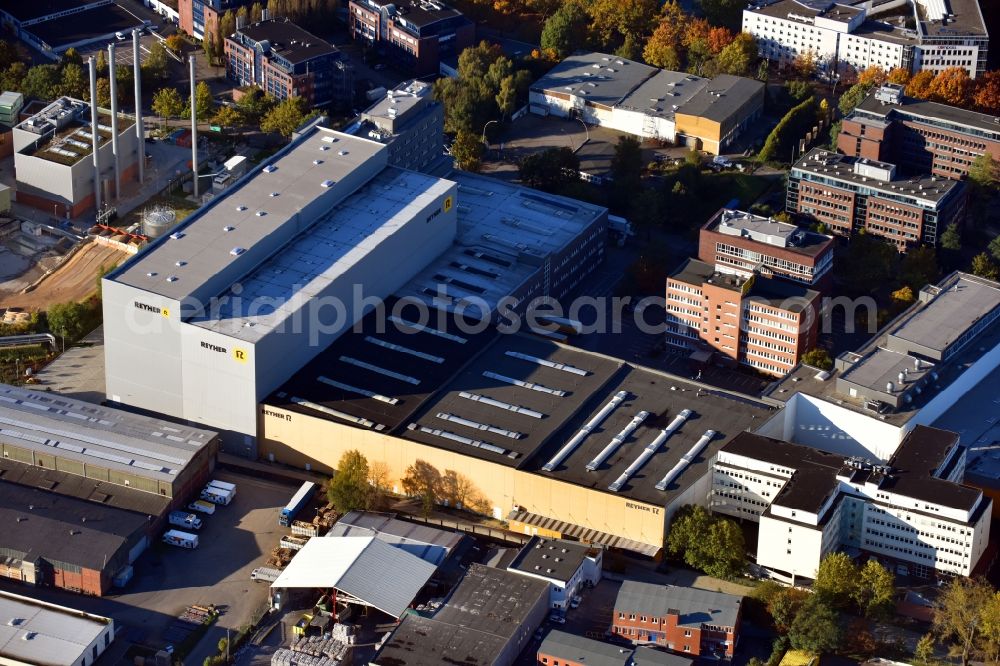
(920, 136)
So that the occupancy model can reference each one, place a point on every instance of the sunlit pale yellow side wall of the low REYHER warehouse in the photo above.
(297, 439)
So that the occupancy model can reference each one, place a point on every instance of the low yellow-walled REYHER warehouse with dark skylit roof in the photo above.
(555, 440)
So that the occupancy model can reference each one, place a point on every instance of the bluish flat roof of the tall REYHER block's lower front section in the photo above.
(313, 261)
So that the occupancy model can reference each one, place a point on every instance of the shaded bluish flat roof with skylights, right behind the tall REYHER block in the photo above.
(504, 233)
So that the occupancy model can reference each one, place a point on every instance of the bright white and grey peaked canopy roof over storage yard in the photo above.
(365, 568)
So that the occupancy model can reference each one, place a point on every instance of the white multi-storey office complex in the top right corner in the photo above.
(919, 35)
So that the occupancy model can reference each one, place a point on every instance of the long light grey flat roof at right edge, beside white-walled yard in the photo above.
(959, 305)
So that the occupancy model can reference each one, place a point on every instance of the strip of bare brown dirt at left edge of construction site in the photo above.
(75, 280)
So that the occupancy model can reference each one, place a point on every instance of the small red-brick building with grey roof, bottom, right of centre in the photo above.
(683, 619)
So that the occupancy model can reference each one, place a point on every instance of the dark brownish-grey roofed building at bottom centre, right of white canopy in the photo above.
(487, 620)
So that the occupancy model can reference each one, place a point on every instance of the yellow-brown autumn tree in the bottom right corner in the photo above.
(958, 616)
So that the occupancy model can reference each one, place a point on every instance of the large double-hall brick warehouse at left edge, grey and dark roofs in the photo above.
(83, 488)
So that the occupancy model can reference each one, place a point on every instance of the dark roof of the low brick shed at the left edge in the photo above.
(56, 527)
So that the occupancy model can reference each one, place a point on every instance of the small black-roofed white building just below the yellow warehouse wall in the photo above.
(565, 565)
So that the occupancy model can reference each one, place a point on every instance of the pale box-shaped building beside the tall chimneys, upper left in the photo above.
(53, 157)
